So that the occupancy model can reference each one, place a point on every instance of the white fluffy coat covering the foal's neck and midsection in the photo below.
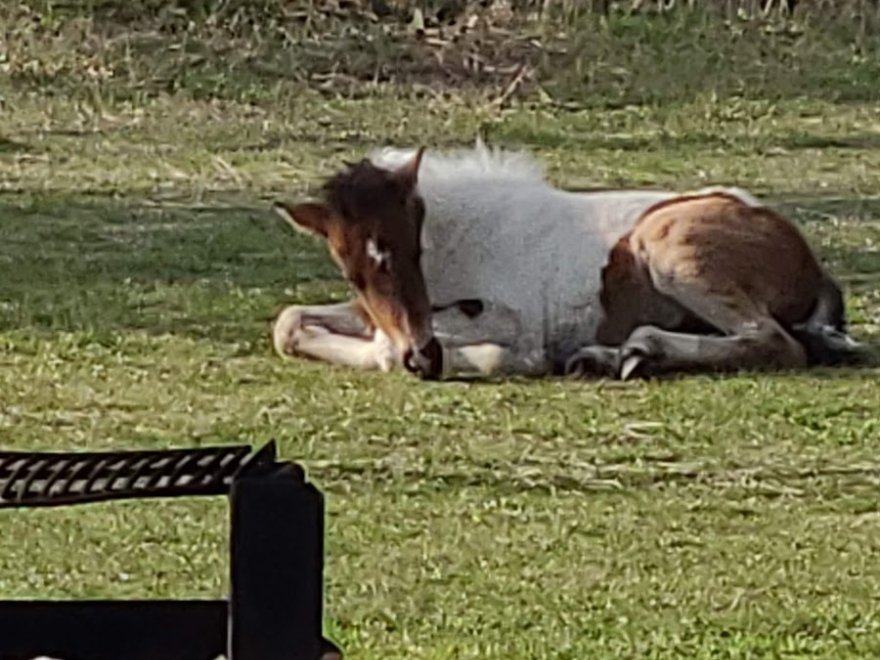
(496, 230)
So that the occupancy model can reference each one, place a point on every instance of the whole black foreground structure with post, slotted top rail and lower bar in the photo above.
(274, 611)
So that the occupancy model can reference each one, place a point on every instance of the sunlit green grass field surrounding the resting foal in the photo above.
(731, 517)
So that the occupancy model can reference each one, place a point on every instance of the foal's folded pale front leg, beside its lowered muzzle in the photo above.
(338, 334)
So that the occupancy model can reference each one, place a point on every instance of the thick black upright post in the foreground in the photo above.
(277, 538)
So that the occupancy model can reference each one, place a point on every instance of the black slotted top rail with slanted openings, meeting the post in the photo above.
(35, 479)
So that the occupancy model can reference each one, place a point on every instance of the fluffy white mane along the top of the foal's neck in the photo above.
(479, 162)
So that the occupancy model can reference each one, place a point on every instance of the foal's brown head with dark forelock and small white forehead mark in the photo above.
(371, 219)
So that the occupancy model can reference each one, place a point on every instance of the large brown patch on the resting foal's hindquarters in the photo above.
(707, 254)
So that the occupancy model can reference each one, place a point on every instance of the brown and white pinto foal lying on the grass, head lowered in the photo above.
(471, 261)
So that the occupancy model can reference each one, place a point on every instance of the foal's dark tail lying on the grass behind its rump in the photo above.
(824, 334)
